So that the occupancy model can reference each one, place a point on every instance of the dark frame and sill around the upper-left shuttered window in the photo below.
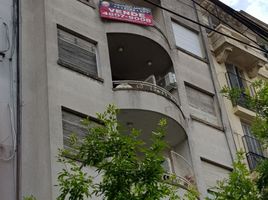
(72, 66)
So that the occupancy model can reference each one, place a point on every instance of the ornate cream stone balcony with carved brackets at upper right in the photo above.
(227, 49)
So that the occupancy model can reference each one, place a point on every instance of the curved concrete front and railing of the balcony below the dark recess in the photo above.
(131, 94)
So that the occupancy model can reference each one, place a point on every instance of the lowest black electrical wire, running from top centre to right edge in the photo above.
(205, 26)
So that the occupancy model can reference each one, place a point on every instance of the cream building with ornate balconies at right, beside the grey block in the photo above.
(238, 66)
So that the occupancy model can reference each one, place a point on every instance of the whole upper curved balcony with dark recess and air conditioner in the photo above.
(143, 75)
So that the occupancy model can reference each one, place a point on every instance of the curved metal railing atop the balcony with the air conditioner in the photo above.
(144, 86)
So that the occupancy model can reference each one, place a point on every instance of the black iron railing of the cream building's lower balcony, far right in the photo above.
(253, 150)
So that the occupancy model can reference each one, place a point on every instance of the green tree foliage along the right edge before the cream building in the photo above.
(259, 103)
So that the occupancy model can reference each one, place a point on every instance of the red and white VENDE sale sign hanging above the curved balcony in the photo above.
(126, 13)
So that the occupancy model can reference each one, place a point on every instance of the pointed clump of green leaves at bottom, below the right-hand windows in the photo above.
(239, 185)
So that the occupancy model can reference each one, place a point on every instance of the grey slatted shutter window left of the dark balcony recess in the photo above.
(77, 53)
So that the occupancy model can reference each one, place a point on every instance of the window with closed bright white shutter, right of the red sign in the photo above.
(187, 39)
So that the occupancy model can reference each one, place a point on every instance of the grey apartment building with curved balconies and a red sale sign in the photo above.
(78, 56)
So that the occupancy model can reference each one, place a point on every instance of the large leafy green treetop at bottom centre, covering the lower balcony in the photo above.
(129, 168)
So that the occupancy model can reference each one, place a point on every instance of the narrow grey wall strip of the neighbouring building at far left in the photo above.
(8, 99)
